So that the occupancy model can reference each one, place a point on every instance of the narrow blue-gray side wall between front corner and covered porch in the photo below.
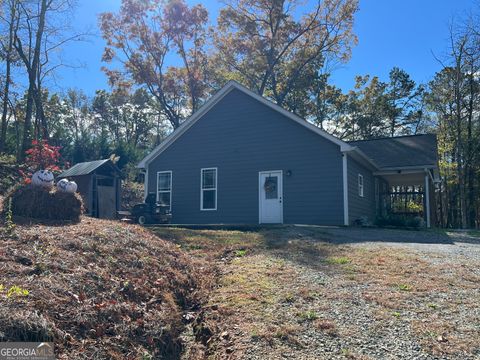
(360, 206)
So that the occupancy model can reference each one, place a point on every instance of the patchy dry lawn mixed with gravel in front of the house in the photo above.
(288, 292)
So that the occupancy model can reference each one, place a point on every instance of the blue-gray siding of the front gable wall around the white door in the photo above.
(240, 136)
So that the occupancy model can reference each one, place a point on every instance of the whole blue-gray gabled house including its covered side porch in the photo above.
(243, 159)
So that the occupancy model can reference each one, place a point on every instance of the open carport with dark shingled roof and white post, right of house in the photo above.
(407, 174)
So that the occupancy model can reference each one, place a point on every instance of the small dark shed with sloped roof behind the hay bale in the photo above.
(99, 184)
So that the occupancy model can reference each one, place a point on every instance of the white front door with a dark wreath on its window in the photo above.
(270, 197)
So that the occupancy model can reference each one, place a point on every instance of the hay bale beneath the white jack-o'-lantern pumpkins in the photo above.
(38, 203)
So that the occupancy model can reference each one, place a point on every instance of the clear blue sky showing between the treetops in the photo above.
(401, 33)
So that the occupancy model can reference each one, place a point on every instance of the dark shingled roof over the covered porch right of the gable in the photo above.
(412, 151)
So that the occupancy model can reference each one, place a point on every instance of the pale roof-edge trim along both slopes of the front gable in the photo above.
(231, 85)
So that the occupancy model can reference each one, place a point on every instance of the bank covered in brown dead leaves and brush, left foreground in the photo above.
(98, 289)
